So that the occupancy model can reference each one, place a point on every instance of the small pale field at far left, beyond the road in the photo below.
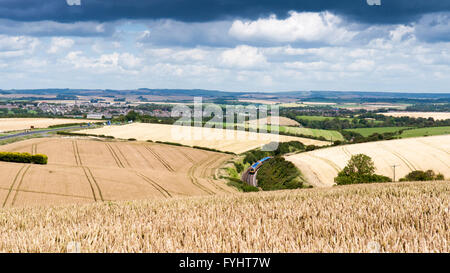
(16, 124)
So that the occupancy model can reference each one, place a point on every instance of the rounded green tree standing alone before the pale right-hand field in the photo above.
(360, 169)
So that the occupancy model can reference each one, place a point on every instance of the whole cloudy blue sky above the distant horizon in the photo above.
(230, 45)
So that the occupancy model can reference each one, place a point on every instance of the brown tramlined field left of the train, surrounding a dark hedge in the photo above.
(85, 171)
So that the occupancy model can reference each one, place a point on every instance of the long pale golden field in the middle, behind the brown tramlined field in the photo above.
(225, 140)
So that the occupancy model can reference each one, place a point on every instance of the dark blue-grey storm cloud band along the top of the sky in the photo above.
(391, 11)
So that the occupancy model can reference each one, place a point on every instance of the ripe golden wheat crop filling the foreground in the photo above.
(405, 217)
